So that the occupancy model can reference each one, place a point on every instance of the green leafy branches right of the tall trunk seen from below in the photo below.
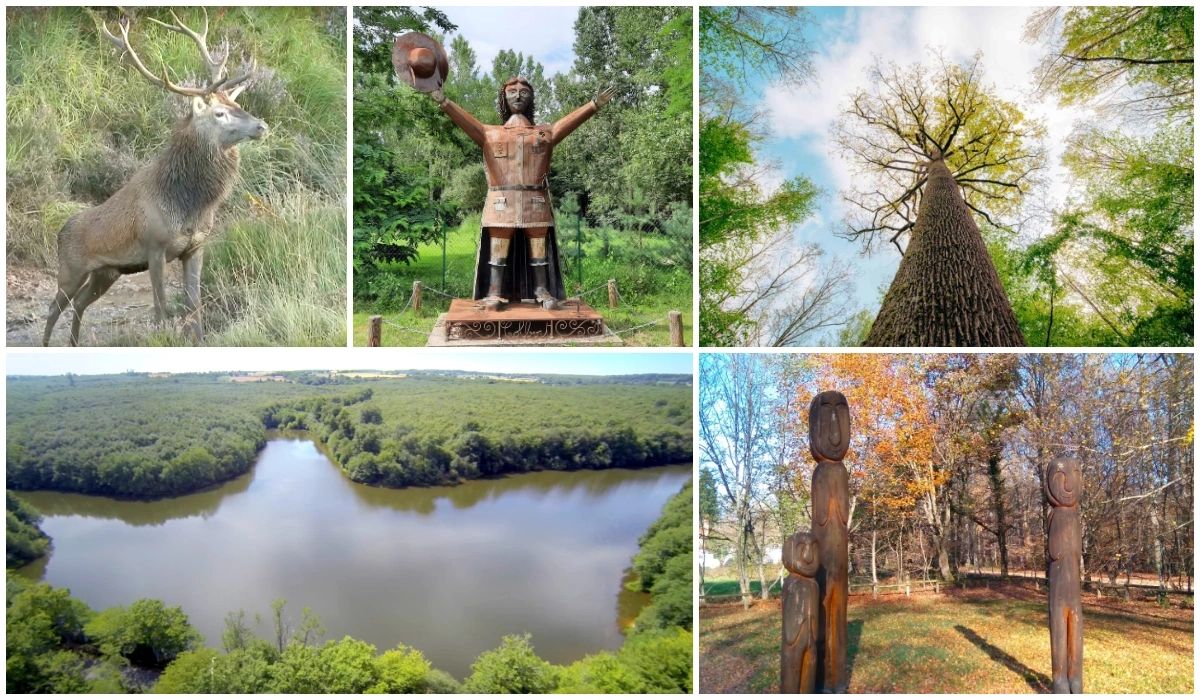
(1118, 267)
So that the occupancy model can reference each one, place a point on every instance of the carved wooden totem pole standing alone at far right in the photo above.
(1065, 487)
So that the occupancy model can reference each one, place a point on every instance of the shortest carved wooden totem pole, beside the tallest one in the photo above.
(802, 615)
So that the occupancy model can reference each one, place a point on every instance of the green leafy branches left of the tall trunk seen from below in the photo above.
(757, 288)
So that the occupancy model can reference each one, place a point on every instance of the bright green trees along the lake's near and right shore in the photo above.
(56, 644)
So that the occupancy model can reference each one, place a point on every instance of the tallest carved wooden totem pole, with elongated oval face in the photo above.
(829, 441)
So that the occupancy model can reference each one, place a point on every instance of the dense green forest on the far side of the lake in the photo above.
(146, 438)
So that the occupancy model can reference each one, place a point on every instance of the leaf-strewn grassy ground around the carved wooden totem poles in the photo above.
(975, 641)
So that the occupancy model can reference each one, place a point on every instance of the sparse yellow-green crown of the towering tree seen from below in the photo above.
(895, 128)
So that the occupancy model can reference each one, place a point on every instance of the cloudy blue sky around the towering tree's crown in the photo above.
(847, 41)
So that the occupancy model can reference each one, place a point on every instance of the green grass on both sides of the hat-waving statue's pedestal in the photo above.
(649, 297)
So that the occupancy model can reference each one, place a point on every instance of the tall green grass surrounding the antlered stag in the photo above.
(81, 122)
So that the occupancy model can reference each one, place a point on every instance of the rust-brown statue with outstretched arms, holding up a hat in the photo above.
(518, 238)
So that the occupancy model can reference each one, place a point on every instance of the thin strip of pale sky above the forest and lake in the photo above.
(547, 362)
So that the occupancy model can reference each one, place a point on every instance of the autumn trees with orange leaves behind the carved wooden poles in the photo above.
(947, 462)
